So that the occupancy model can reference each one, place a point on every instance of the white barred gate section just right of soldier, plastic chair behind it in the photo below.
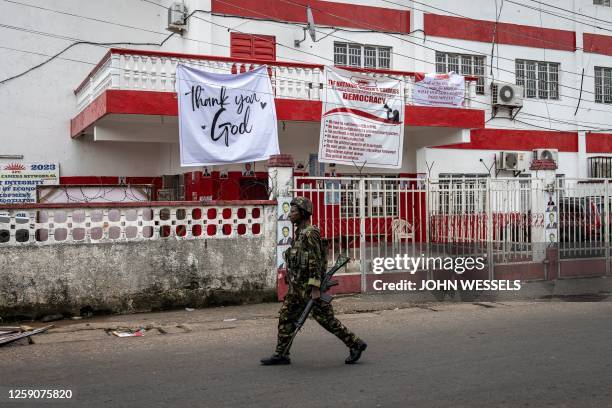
(367, 217)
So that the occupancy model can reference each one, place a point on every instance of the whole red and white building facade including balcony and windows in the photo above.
(106, 111)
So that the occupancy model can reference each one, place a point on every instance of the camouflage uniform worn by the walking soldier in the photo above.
(304, 269)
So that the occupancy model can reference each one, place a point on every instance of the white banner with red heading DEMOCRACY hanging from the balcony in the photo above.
(362, 120)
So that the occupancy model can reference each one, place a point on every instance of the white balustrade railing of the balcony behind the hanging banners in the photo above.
(155, 71)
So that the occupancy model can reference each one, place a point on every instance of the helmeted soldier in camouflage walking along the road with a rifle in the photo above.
(305, 267)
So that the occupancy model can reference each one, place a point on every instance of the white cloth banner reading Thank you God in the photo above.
(225, 118)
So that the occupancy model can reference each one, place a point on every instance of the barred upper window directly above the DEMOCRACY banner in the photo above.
(362, 56)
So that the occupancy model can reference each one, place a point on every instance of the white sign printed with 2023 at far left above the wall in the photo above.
(18, 181)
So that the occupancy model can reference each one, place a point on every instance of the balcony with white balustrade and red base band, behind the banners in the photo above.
(133, 85)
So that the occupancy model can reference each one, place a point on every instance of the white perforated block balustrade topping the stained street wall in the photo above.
(46, 225)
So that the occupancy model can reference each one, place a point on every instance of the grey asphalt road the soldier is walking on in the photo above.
(452, 355)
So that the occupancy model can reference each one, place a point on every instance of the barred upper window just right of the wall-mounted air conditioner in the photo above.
(539, 79)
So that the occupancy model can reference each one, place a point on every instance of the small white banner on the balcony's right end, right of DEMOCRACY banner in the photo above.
(439, 90)
